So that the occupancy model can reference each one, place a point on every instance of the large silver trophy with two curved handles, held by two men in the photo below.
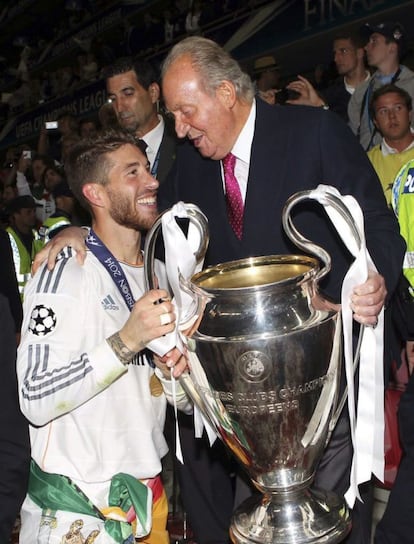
(265, 374)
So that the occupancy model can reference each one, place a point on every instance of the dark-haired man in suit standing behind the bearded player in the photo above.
(134, 92)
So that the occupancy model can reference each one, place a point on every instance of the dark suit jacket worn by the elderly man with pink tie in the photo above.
(294, 148)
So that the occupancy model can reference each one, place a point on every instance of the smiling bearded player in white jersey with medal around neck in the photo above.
(94, 397)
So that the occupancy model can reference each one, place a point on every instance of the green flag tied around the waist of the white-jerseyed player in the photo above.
(129, 510)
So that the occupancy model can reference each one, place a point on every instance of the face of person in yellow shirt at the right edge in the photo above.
(392, 117)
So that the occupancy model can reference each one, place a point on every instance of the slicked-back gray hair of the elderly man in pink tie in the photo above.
(213, 64)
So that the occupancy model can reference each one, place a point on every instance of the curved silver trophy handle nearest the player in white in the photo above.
(196, 217)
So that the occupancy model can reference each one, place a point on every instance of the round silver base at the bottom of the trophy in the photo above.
(310, 517)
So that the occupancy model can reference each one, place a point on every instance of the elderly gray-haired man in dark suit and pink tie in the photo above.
(278, 151)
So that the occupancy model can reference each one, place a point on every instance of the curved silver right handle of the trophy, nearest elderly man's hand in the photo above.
(305, 244)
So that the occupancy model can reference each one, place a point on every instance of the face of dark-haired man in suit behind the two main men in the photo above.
(134, 106)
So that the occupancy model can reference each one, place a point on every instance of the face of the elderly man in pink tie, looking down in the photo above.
(207, 119)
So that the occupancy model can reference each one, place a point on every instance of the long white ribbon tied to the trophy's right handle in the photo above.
(367, 421)
